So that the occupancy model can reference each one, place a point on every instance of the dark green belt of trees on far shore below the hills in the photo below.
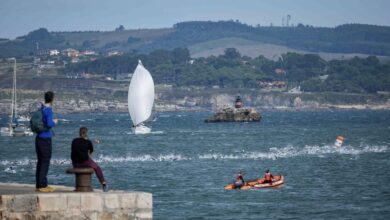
(232, 70)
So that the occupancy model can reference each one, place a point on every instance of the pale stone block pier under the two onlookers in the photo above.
(21, 201)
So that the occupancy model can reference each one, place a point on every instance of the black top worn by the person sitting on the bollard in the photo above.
(80, 148)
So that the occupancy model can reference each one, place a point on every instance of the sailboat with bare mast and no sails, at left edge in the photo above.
(14, 127)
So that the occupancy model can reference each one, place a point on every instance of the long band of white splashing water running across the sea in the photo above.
(12, 166)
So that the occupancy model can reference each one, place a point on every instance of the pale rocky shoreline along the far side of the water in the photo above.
(198, 101)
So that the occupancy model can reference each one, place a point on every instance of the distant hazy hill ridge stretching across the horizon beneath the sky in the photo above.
(348, 38)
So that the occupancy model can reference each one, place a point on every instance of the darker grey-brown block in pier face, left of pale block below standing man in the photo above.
(23, 203)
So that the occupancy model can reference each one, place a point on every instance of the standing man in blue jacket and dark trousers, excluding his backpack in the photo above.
(43, 145)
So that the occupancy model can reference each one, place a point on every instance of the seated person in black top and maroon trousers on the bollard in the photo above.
(82, 148)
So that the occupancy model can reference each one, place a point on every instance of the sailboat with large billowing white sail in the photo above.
(140, 98)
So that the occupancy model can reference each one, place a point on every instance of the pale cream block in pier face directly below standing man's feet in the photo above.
(52, 202)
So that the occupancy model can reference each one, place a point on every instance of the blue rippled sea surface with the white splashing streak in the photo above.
(185, 163)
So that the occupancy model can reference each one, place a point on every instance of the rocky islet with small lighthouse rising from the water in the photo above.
(236, 114)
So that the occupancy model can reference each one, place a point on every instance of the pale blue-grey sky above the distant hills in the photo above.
(18, 17)
